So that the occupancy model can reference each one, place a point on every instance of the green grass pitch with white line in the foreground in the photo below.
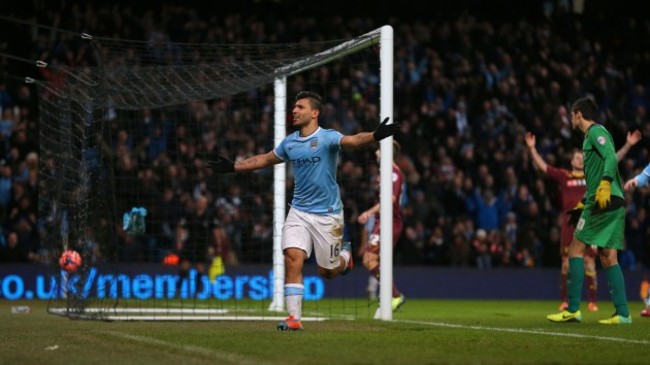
(422, 332)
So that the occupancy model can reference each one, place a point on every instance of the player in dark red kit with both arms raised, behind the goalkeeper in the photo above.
(572, 186)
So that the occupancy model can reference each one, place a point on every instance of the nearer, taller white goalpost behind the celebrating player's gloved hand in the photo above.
(386, 175)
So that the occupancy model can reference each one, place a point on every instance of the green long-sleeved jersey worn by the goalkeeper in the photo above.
(600, 161)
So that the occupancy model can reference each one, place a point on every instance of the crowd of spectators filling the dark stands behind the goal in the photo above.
(467, 88)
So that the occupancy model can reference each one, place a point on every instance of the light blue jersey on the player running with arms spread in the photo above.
(314, 159)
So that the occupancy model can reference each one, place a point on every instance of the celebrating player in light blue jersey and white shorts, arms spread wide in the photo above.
(315, 219)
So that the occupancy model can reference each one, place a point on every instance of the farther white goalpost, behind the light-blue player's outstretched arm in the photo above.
(279, 195)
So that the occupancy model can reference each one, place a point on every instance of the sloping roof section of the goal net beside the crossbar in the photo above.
(158, 74)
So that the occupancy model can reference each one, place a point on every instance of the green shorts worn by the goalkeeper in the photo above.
(603, 229)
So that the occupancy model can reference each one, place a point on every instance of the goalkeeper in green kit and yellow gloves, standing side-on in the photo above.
(599, 217)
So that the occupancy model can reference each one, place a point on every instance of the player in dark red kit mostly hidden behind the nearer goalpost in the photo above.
(371, 249)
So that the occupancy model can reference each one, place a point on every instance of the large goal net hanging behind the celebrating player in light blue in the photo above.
(124, 142)
